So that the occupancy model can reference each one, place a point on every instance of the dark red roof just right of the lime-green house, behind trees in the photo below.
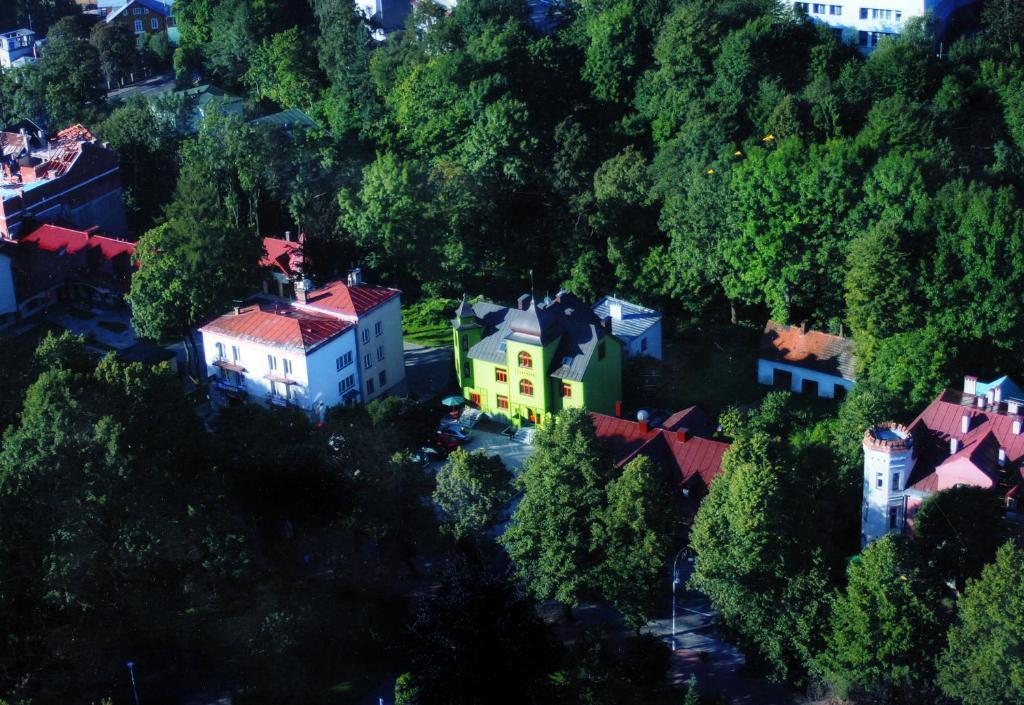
(688, 457)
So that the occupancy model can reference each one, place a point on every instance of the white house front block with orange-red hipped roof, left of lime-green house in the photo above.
(274, 353)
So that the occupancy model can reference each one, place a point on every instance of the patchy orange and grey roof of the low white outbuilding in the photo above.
(812, 350)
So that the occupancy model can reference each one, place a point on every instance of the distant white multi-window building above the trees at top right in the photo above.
(866, 22)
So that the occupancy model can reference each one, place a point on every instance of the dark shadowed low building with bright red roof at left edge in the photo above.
(54, 264)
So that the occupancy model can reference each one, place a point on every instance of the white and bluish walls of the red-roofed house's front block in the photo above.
(316, 375)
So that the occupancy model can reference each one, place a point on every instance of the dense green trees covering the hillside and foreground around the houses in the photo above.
(723, 160)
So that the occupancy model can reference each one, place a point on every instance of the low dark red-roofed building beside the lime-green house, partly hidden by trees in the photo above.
(678, 444)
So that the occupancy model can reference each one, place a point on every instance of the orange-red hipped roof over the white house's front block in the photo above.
(280, 325)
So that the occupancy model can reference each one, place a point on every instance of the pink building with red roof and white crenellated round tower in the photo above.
(972, 438)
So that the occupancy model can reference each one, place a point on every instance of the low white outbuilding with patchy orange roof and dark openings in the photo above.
(805, 361)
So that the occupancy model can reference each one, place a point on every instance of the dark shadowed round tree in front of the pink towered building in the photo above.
(958, 532)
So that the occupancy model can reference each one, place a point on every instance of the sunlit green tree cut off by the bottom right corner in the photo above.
(985, 662)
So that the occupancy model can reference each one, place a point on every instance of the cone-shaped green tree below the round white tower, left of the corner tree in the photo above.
(881, 627)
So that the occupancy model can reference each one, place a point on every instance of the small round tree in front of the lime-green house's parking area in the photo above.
(474, 490)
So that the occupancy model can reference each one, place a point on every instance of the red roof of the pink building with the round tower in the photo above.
(989, 431)
